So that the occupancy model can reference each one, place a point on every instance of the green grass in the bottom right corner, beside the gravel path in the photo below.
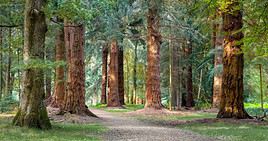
(228, 131)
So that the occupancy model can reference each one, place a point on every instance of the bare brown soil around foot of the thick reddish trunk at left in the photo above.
(54, 115)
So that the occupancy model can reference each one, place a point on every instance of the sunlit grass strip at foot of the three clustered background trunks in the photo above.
(127, 108)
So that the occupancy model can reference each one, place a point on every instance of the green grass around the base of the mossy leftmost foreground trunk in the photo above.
(59, 132)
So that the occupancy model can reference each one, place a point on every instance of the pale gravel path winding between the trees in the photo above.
(129, 129)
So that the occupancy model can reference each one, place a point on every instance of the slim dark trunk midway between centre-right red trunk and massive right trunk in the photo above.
(190, 99)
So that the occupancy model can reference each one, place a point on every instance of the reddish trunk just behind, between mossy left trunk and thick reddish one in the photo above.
(59, 88)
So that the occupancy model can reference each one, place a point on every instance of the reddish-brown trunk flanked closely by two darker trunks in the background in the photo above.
(113, 94)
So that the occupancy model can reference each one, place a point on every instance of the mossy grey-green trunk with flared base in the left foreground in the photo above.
(32, 112)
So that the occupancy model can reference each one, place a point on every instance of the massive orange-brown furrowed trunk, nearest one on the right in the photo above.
(232, 104)
